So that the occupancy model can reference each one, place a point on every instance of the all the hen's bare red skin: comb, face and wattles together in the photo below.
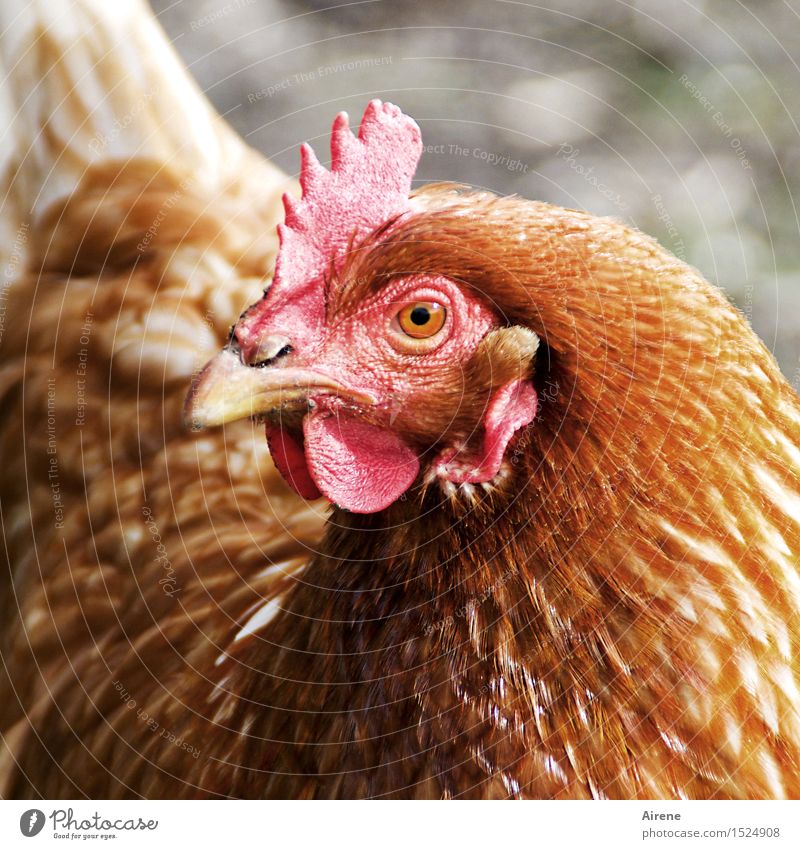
(364, 446)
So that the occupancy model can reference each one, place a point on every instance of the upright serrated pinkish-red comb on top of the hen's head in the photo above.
(368, 184)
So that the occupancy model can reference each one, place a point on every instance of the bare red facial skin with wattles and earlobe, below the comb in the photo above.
(364, 454)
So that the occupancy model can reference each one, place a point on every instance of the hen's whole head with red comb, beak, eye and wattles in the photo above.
(372, 369)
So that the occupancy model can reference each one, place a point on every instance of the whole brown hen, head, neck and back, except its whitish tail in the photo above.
(561, 560)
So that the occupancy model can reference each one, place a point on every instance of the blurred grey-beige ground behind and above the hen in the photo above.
(680, 118)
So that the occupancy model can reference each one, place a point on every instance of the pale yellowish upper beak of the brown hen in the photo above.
(227, 389)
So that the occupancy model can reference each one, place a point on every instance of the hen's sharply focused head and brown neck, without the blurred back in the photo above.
(562, 561)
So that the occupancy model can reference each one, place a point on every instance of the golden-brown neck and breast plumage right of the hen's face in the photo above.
(617, 618)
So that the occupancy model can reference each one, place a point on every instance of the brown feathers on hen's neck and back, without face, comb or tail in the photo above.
(614, 617)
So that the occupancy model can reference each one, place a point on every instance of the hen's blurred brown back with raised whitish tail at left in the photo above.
(136, 226)
